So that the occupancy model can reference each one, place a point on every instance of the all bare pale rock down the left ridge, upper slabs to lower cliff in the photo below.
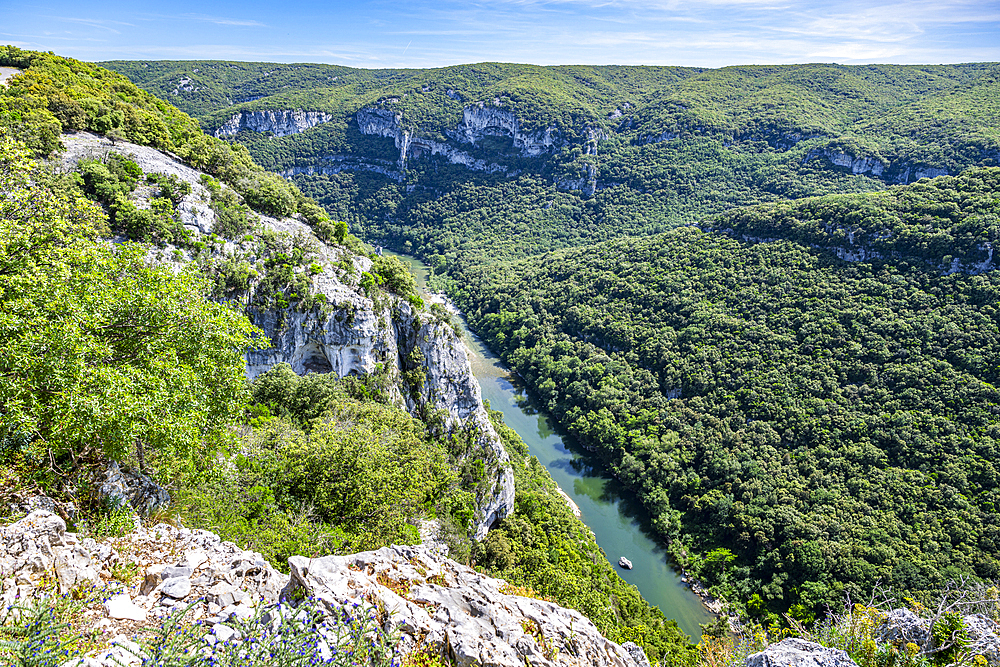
(354, 334)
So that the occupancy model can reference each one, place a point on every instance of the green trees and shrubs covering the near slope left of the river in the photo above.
(107, 356)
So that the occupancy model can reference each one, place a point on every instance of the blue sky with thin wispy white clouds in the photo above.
(367, 33)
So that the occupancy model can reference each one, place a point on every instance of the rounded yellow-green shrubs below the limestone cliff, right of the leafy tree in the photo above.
(327, 470)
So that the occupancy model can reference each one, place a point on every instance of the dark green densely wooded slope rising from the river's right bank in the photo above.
(797, 426)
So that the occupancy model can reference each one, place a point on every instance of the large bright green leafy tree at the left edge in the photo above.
(101, 352)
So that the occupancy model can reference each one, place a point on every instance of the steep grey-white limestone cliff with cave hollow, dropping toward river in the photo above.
(357, 337)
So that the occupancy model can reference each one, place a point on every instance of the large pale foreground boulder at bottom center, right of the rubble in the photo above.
(451, 610)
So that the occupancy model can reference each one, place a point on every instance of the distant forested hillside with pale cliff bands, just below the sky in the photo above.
(586, 153)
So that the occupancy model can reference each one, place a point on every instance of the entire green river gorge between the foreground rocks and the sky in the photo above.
(752, 313)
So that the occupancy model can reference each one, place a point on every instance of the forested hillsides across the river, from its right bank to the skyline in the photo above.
(581, 217)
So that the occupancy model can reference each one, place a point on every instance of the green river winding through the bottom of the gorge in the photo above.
(618, 530)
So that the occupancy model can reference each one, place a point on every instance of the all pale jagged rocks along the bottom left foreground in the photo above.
(431, 603)
